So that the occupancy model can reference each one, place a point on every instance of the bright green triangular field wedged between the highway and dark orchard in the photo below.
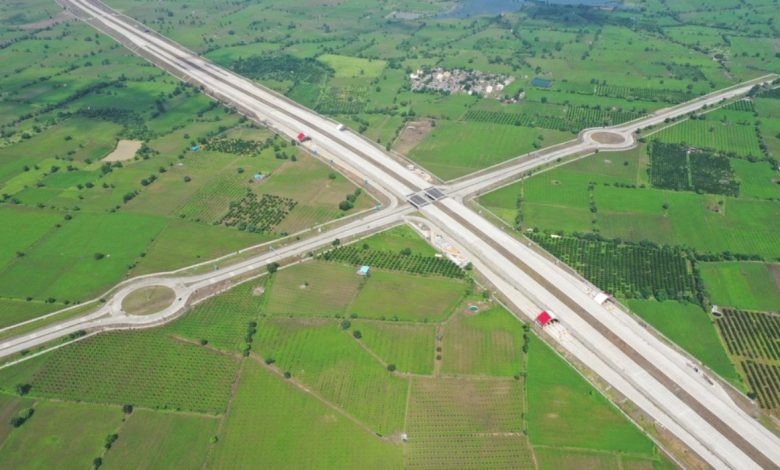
(690, 327)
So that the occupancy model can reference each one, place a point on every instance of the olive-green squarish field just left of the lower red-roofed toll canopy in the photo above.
(488, 343)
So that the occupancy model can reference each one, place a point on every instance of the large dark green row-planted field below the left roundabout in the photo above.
(145, 368)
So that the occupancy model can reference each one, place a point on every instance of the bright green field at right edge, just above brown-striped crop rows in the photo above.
(745, 285)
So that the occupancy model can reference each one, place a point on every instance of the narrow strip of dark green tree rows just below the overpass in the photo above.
(394, 261)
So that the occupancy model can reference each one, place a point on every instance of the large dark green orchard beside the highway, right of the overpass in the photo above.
(632, 270)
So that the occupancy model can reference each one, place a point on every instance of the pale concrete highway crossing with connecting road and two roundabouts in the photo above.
(657, 378)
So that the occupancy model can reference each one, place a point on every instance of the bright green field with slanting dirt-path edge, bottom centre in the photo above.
(325, 358)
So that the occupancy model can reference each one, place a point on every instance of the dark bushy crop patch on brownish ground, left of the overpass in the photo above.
(258, 214)
